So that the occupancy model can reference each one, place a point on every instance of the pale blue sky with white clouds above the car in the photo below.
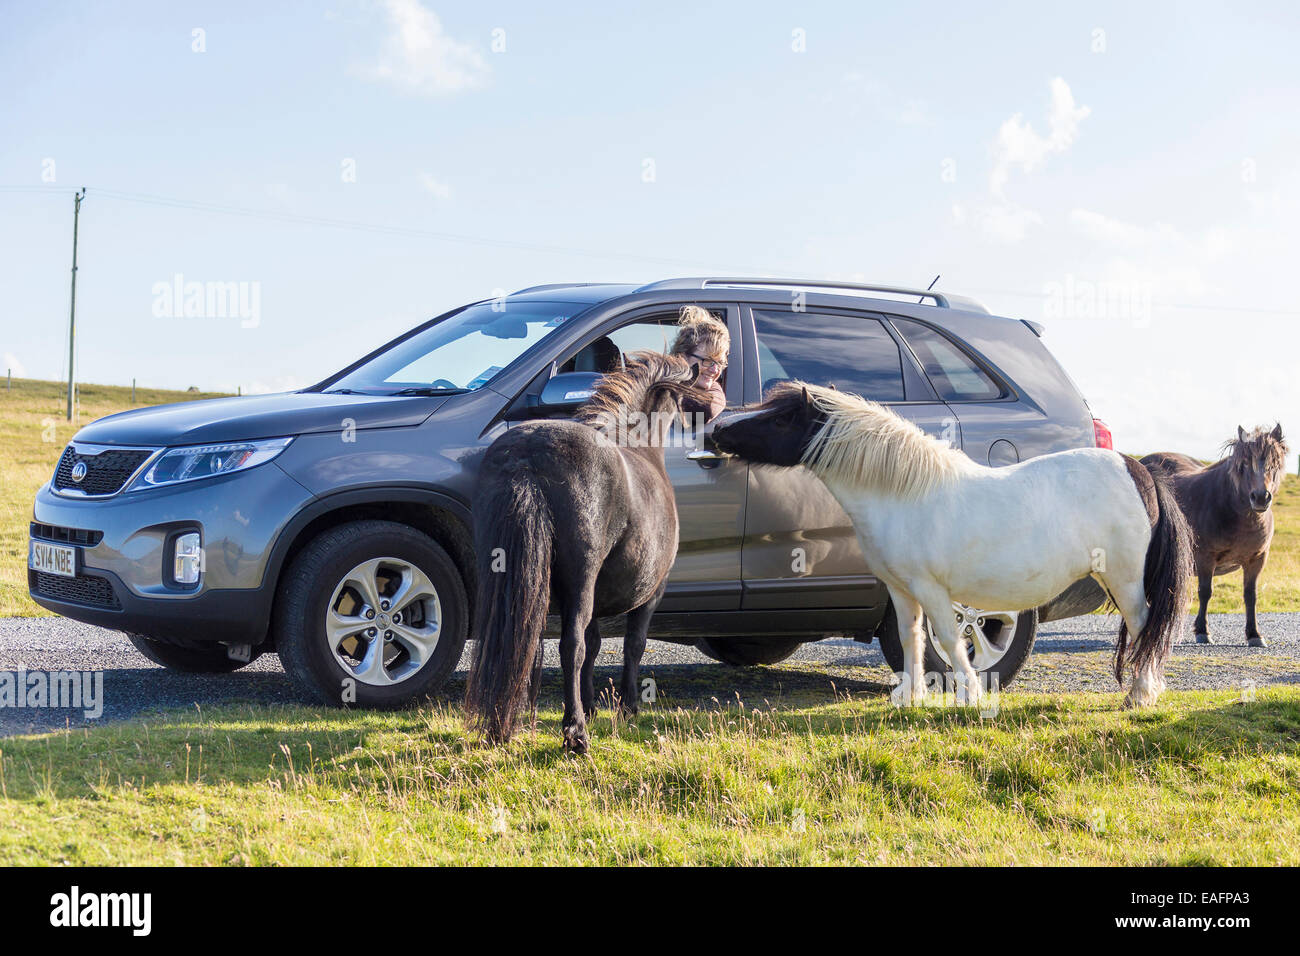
(1129, 175)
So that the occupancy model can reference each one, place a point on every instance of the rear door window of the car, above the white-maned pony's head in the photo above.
(851, 352)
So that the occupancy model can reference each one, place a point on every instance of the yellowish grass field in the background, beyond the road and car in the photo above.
(33, 434)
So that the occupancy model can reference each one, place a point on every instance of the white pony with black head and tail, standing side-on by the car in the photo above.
(938, 527)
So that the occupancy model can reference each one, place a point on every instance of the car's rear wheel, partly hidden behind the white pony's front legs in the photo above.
(995, 642)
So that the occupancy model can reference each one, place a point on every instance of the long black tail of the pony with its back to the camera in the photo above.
(513, 521)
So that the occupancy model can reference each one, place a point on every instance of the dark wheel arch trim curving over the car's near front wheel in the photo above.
(443, 517)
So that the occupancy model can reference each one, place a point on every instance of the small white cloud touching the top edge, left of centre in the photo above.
(421, 58)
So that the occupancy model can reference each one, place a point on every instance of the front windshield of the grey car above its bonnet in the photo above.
(461, 353)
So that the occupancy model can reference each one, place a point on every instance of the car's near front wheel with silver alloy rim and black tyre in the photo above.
(328, 579)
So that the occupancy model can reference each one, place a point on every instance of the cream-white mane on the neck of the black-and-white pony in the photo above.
(868, 445)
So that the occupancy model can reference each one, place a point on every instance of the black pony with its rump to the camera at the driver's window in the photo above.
(580, 514)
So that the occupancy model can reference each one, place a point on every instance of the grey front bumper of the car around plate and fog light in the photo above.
(239, 516)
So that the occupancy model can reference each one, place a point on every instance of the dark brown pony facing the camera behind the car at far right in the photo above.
(1228, 508)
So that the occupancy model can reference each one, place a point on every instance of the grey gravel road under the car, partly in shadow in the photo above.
(1069, 656)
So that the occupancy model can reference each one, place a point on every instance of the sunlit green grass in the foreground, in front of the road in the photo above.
(1052, 780)
